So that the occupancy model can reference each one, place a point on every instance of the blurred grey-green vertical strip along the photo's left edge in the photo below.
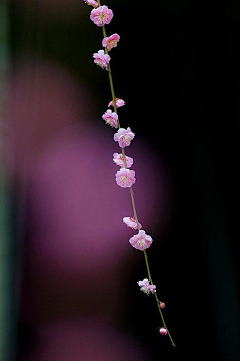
(6, 244)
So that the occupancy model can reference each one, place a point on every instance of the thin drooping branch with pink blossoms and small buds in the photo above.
(125, 177)
